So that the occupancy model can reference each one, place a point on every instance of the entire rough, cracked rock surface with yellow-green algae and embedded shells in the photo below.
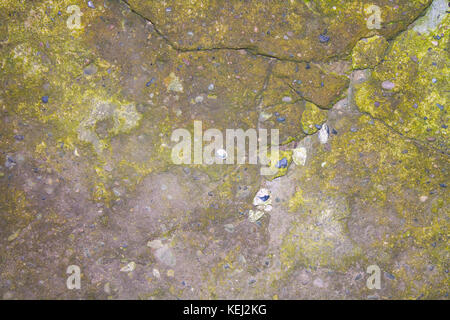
(86, 176)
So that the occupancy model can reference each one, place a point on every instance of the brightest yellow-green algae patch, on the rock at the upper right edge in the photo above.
(418, 65)
